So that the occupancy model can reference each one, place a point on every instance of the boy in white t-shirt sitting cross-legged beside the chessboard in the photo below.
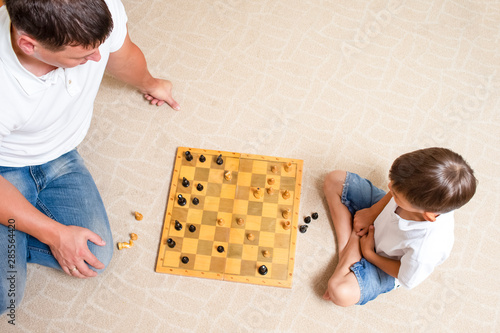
(386, 240)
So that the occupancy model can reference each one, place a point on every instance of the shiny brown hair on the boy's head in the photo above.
(435, 180)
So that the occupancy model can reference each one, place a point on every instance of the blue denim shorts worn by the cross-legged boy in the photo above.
(360, 193)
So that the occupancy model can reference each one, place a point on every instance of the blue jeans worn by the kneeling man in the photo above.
(64, 190)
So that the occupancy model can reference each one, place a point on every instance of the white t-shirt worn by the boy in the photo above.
(420, 245)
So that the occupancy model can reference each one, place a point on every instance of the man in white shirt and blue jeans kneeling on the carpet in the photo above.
(53, 54)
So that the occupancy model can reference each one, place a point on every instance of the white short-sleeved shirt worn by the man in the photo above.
(44, 118)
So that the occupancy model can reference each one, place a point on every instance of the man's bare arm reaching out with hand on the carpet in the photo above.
(129, 65)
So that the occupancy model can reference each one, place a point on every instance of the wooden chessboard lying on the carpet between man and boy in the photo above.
(272, 244)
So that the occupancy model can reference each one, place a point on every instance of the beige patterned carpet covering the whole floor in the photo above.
(339, 84)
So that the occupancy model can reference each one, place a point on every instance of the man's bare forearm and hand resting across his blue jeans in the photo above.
(67, 243)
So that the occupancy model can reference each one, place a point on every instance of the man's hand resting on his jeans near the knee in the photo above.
(71, 251)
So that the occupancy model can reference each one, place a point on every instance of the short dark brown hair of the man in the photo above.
(59, 23)
